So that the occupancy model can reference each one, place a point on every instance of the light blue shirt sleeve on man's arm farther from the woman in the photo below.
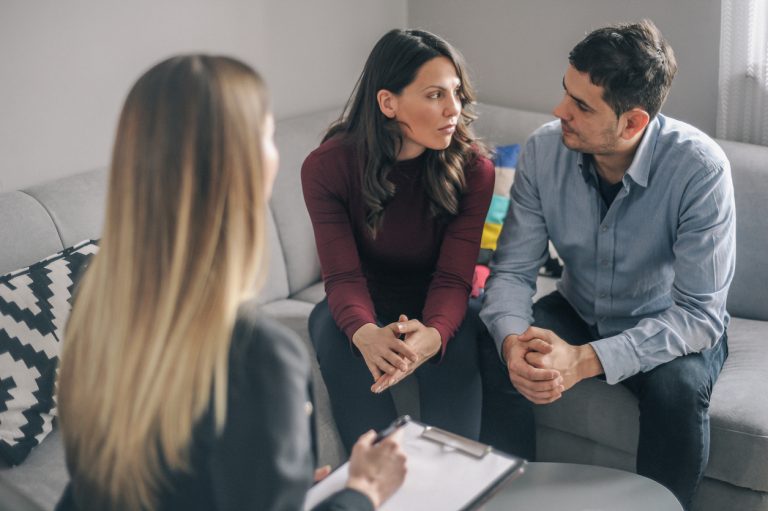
(704, 264)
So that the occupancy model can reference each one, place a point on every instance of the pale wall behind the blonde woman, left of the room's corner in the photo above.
(66, 66)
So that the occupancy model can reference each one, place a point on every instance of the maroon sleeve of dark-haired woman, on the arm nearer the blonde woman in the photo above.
(327, 202)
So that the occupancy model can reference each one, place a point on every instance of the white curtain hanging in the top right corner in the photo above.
(742, 112)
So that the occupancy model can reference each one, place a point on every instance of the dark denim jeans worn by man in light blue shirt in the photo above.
(673, 398)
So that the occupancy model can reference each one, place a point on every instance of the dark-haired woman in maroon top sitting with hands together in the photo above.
(398, 193)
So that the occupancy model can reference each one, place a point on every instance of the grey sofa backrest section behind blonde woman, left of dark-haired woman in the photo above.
(43, 219)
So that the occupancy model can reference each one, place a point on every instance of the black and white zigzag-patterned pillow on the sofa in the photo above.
(34, 306)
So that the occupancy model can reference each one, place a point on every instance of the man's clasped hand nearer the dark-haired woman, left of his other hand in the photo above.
(538, 385)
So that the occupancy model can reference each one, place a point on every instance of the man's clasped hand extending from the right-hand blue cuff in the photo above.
(546, 350)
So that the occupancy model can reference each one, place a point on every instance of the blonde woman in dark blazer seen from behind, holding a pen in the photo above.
(172, 393)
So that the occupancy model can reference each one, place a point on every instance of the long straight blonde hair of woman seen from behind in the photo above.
(146, 347)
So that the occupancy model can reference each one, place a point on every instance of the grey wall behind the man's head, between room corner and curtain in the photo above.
(518, 50)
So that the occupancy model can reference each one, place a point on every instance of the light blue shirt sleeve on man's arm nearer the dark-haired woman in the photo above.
(521, 250)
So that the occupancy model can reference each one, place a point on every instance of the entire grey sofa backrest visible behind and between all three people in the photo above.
(45, 218)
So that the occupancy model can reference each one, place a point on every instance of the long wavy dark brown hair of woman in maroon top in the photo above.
(392, 65)
